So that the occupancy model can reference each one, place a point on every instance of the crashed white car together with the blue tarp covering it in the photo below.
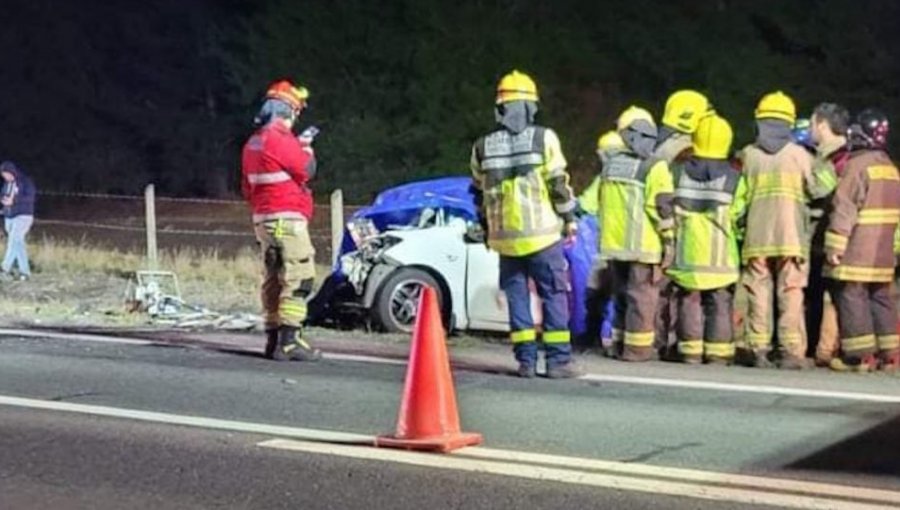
(427, 233)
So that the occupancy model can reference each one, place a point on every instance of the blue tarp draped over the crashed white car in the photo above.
(401, 205)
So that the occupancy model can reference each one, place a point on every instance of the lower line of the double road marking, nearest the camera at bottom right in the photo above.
(458, 462)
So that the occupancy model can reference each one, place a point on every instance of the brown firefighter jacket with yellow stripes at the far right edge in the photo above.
(865, 212)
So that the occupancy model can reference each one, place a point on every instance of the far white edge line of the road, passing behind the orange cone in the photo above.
(622, 379)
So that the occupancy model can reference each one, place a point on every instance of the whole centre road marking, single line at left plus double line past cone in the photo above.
(588, 472)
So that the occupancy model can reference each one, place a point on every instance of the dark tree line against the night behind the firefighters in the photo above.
(108, 96)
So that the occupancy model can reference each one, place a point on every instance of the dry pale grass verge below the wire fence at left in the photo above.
(76, 280)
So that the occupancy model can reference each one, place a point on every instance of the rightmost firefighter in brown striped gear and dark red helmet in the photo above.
(859, 249)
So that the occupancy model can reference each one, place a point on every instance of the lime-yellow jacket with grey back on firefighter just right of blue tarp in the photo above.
(634, 214)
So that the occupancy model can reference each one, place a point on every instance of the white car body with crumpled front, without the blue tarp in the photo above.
(389, 269)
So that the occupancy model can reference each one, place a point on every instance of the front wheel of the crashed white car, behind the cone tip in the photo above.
(398, 299)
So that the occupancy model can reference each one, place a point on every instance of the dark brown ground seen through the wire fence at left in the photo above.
(118, 222)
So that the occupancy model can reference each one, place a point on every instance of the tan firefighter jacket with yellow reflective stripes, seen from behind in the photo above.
(778, 188)
